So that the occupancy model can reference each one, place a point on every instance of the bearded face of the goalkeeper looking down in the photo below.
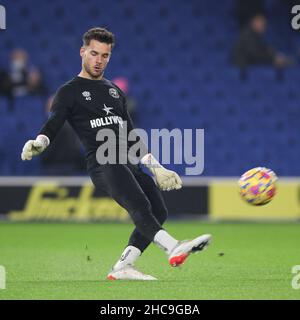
(95, 58)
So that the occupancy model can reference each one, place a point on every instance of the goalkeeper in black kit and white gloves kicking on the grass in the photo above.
(91, 103)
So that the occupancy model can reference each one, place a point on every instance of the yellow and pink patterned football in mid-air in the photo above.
(257, 186)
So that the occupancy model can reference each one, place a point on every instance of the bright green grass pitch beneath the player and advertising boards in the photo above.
(71, 261)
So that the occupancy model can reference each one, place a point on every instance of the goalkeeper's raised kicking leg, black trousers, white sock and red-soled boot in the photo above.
(123, 186)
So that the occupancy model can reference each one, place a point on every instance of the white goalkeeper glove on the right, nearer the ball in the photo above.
(165, 179)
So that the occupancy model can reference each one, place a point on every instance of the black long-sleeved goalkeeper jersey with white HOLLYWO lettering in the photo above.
(89, 106)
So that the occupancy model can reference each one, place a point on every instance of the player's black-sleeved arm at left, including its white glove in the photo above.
(60, 111)
